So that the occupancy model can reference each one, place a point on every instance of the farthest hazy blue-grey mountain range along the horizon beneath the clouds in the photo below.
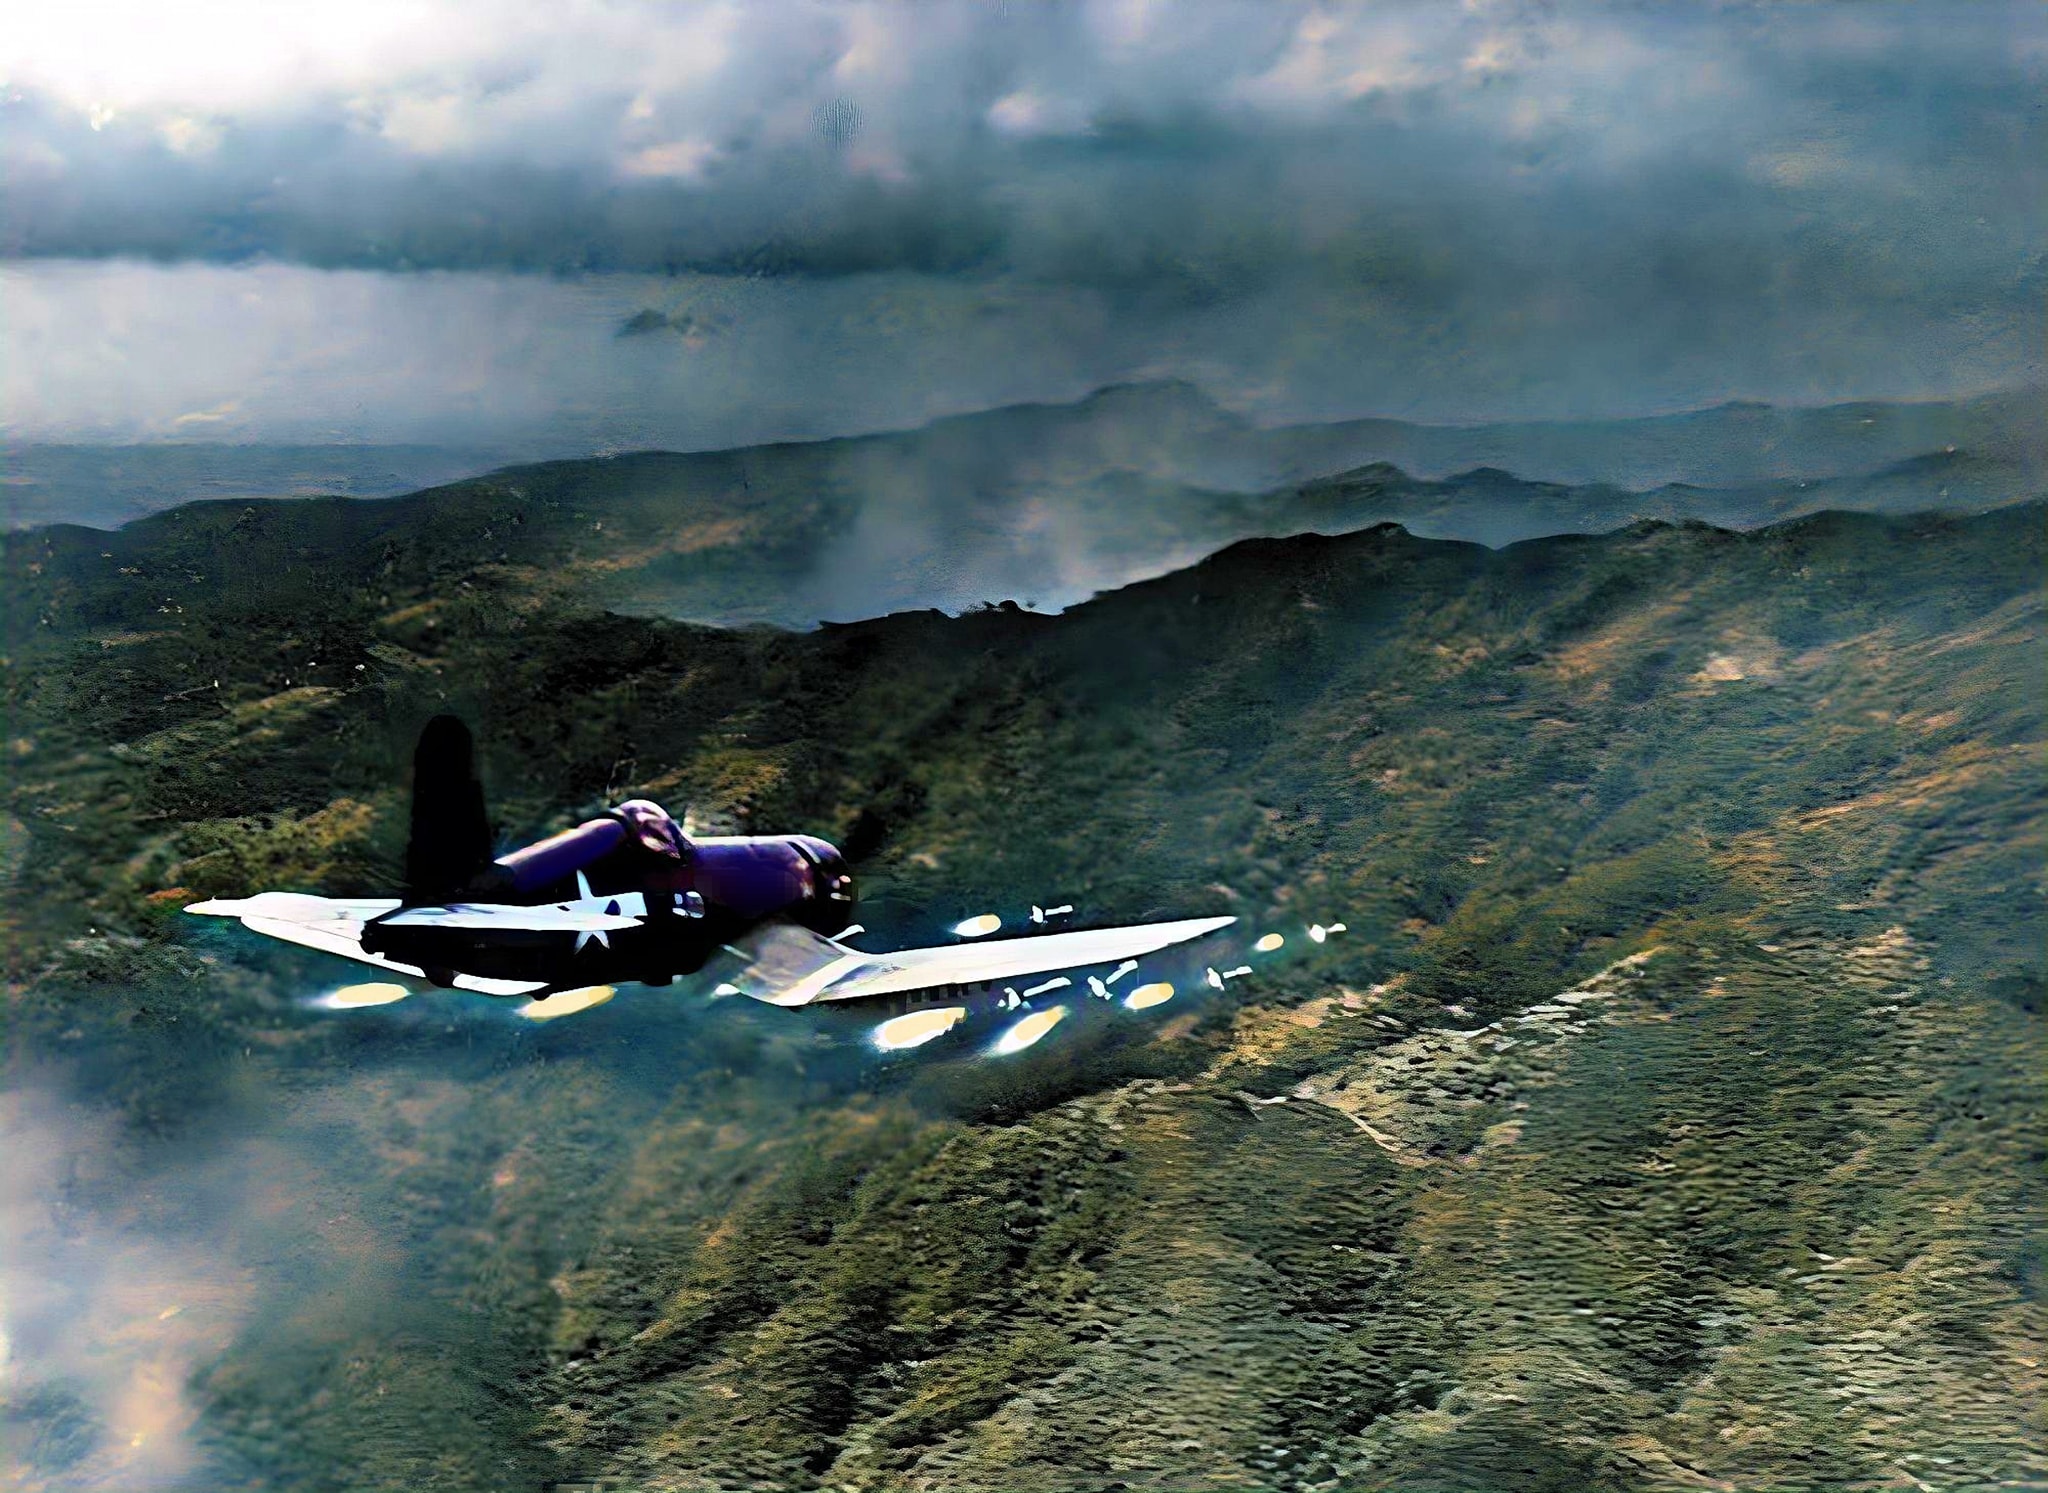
(1039, 458)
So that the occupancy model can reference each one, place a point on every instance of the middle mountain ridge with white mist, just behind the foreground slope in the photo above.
(839, 531)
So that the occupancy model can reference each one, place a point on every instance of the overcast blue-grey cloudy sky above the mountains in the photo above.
(570, 226)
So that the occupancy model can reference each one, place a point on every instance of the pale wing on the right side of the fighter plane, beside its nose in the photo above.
(847, 976)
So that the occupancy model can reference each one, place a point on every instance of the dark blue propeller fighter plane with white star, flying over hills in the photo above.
(630, 898)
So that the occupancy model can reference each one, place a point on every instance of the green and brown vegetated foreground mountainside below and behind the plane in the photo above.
(1734, 841)
